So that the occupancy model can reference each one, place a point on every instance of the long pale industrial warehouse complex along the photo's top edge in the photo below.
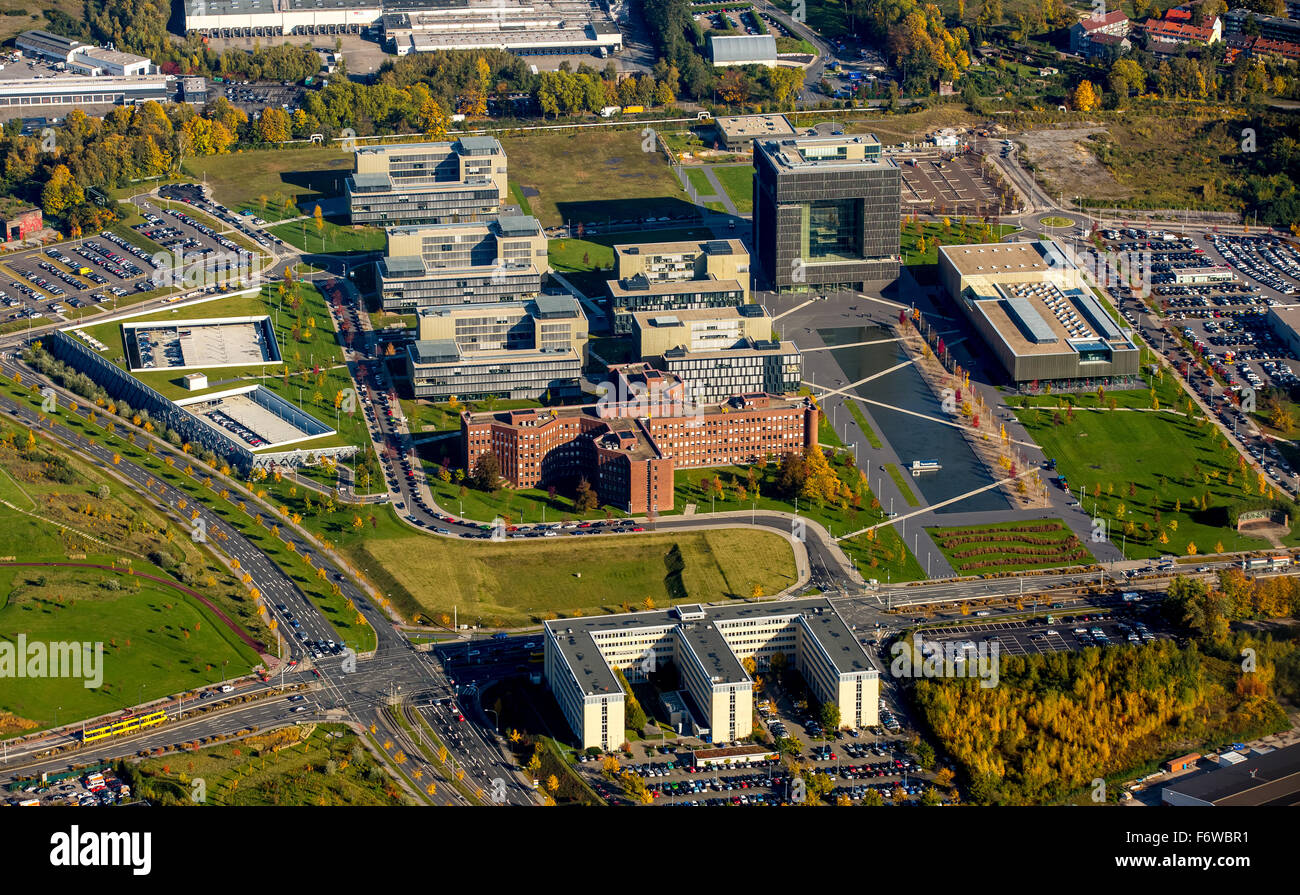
(539, 28)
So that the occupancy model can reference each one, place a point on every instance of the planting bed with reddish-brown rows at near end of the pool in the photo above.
(1011, 547)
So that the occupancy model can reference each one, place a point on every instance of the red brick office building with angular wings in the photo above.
(629, 446)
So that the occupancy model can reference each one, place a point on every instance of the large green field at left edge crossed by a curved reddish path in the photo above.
(158, 639)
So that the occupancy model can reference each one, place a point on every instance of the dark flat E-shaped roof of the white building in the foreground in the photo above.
(701, 635)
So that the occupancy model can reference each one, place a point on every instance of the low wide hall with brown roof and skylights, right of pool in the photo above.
(1038, 315)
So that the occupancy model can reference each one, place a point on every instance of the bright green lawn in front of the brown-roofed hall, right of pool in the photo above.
(1169, 477)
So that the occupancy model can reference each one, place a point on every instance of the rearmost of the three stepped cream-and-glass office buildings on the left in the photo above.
(409, 184)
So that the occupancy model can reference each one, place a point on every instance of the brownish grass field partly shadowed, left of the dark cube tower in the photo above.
(593, 176)
